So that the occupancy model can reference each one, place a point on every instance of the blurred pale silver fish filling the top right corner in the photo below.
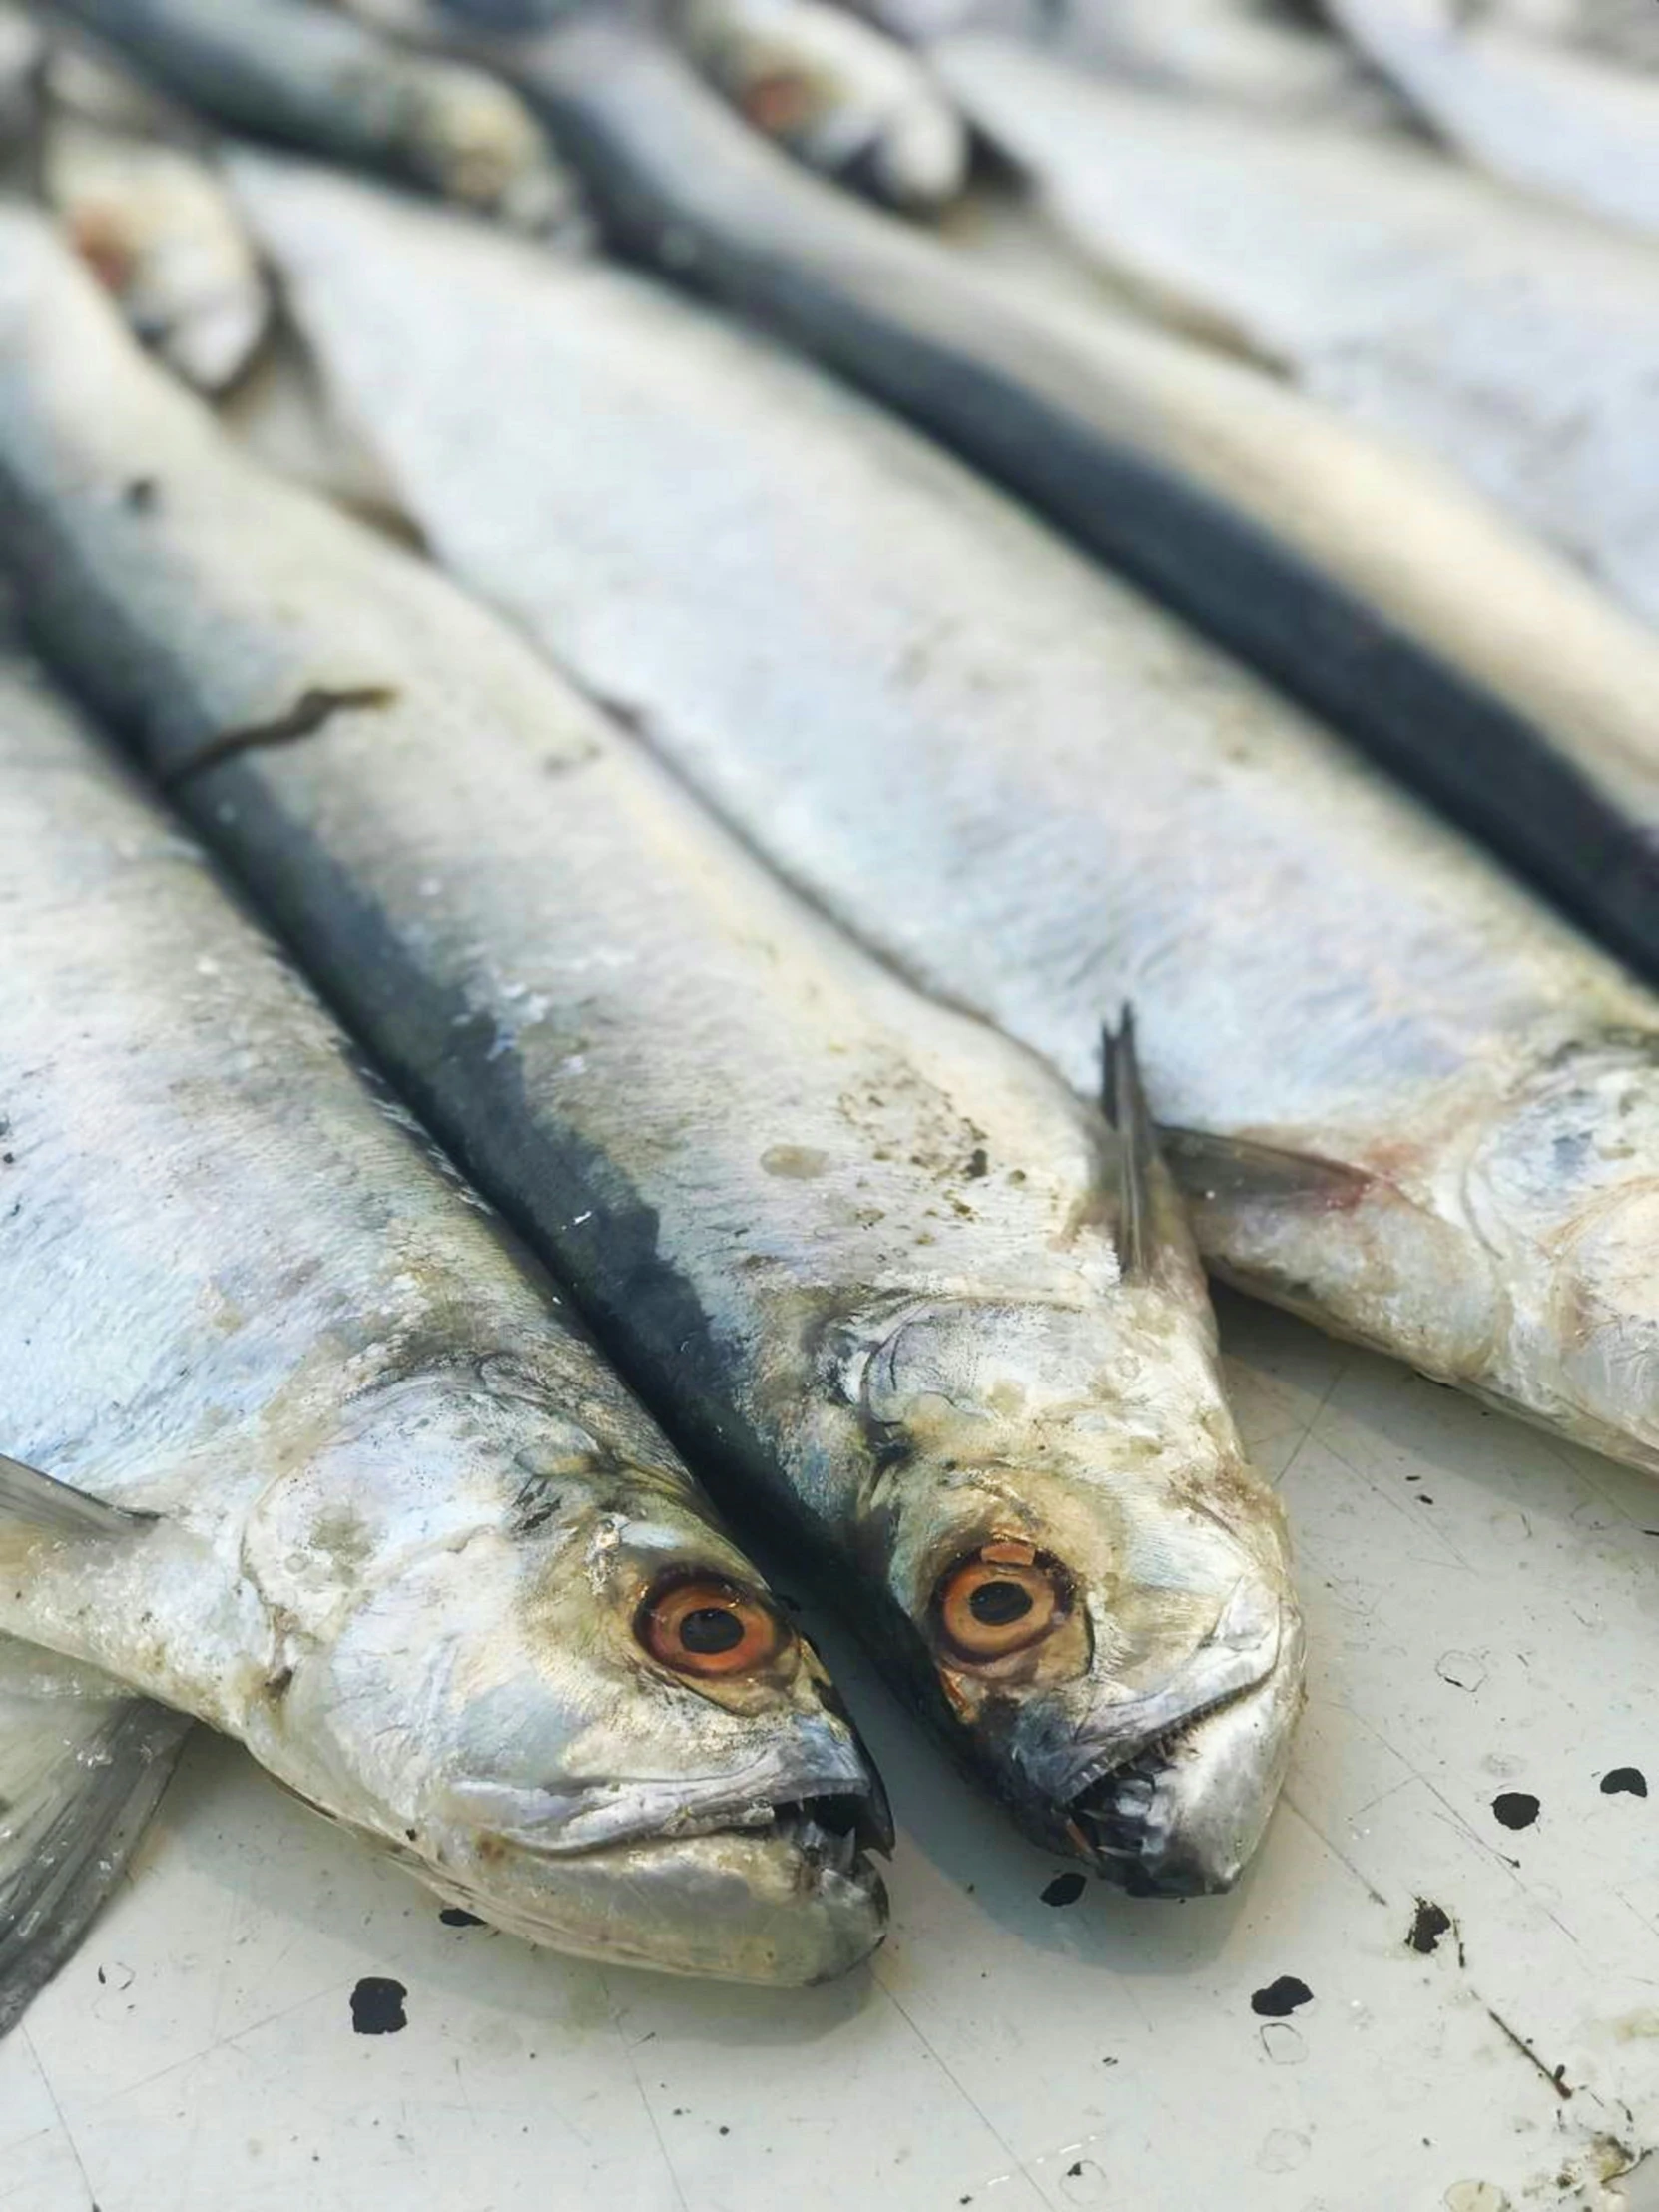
(1576, 127)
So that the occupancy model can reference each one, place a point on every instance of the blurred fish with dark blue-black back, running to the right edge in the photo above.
(1169, 459)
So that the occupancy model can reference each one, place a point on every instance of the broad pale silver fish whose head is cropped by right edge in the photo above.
(1401, 1098)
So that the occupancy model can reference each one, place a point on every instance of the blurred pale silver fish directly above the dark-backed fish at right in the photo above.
(1514, 342)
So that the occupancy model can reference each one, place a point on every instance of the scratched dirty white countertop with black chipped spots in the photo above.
(1485, 1627)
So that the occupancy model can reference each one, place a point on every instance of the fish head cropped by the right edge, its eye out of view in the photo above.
(1563, 1189)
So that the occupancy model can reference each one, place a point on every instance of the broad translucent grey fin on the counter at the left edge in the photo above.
(83, 1766)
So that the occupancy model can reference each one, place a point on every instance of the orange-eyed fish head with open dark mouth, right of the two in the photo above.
(1098, 1580)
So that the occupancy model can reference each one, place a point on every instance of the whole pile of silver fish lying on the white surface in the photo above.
(804, 910)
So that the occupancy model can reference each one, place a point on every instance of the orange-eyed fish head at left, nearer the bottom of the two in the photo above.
(585, 1720)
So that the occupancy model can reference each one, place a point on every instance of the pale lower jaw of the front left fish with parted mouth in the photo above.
(784, 1906)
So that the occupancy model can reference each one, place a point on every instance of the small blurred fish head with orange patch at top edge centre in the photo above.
(833, 92)
